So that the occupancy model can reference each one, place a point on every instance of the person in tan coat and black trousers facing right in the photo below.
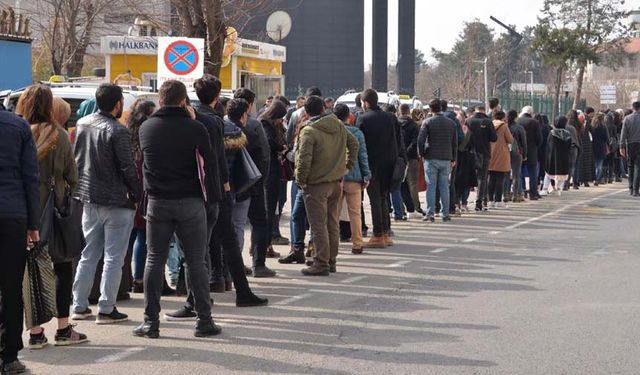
(500, 163)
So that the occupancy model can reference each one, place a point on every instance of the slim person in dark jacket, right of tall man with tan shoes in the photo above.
(410, 132)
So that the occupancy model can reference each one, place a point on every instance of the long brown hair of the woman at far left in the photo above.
(36, 105)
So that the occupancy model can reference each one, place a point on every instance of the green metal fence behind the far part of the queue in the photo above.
(541, 103)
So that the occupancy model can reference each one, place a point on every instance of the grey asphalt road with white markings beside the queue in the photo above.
(539, 288)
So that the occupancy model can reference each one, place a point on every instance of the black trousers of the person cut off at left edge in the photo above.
(13, 244)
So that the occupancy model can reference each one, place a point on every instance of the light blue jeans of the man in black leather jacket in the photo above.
(107, 231)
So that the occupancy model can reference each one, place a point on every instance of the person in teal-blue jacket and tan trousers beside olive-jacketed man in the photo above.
(355, 181)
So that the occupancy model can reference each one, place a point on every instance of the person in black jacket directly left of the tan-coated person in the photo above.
(484, 133)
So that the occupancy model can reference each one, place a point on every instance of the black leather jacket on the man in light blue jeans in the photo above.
(106, 170)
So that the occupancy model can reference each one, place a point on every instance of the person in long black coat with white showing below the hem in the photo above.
(558, 158)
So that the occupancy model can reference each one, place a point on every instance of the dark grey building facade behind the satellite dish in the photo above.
(325, 46)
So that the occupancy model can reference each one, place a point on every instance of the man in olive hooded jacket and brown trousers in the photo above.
(321, 163)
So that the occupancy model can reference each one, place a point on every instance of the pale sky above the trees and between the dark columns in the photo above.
(438, 23)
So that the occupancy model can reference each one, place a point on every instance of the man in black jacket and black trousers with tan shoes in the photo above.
(379, 129)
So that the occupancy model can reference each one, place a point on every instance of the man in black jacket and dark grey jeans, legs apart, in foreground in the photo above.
(172, 141)
